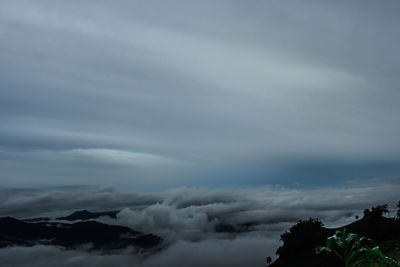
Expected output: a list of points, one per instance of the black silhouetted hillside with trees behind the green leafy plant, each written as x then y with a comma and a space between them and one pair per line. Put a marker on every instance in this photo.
300, 242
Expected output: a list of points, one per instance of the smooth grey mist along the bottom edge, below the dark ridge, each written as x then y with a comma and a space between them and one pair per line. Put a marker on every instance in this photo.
213, 253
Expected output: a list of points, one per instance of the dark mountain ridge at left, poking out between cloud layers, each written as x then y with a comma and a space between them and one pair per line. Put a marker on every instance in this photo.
105, 237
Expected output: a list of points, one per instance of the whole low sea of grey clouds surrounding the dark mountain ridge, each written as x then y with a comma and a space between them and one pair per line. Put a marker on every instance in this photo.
188, 220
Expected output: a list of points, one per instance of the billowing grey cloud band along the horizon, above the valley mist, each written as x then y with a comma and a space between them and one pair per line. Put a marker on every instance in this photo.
257, 205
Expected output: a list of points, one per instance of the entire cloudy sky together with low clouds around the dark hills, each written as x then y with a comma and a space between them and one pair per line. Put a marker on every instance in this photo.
187, 114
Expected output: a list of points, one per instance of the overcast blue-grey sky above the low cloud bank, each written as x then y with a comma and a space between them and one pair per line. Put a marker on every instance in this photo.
151, 95
